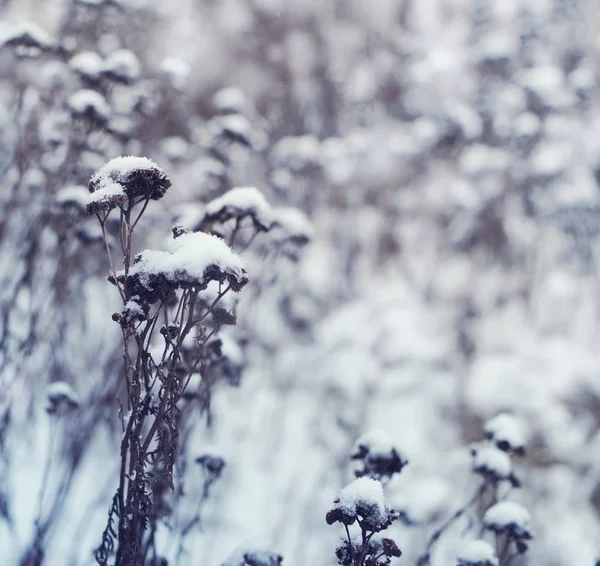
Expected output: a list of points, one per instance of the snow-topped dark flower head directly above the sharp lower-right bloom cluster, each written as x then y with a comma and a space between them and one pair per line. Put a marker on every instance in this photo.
380, 459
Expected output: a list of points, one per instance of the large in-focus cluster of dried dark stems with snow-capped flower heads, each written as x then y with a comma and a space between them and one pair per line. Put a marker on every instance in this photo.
174, 306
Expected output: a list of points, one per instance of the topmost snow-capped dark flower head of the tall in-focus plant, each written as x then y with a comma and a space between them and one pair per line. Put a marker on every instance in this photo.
140, 177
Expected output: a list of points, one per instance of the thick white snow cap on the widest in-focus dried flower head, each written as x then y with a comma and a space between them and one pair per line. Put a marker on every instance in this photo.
189, 255
